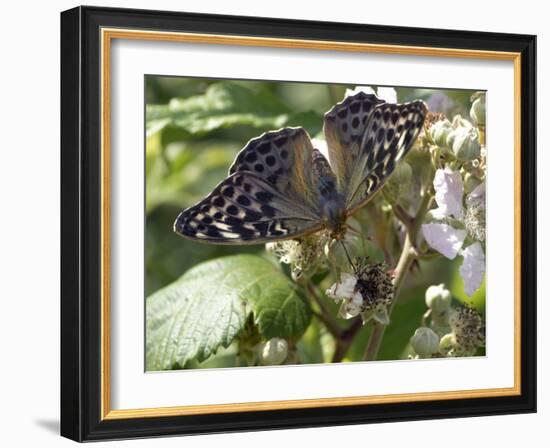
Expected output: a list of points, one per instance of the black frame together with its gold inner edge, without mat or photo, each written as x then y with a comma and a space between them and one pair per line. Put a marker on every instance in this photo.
87, 34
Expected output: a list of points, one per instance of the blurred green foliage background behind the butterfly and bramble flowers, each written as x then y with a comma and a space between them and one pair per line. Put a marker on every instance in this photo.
194, 129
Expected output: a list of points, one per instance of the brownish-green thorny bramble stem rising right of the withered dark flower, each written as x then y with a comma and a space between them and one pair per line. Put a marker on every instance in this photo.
408, 256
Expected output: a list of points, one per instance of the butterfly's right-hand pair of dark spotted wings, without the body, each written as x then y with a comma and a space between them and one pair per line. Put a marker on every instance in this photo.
364, 163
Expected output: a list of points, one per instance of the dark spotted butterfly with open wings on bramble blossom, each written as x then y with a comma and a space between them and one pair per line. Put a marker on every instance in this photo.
281, 187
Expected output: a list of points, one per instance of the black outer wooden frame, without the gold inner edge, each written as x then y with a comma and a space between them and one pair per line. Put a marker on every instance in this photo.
81, 223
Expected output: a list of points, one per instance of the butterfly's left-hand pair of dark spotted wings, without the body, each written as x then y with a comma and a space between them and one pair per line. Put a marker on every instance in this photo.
269, 195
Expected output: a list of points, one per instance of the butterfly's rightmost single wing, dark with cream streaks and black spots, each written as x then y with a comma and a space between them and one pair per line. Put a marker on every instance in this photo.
389, 134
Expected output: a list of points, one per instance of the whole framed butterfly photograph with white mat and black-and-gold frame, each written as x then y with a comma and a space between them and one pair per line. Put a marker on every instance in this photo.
275, 224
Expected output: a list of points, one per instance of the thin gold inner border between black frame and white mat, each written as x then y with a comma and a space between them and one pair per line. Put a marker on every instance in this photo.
107, 35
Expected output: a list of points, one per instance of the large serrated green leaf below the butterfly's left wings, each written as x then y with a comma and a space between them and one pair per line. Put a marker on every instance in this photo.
207, 307
